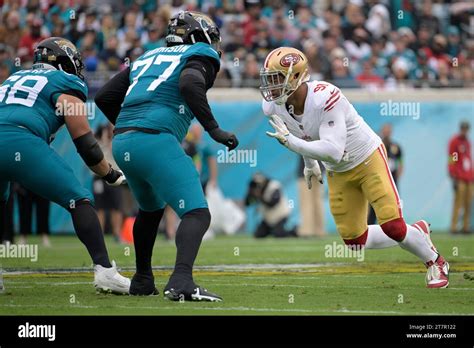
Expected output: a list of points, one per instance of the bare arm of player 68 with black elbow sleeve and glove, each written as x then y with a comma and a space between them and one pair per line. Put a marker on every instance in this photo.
86, 143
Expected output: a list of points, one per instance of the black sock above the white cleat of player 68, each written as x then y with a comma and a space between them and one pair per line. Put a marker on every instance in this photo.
87, 227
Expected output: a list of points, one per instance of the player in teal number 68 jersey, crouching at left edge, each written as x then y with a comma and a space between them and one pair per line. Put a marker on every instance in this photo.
34, 104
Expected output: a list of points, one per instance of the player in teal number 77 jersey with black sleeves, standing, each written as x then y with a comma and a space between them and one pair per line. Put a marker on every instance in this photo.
152, 104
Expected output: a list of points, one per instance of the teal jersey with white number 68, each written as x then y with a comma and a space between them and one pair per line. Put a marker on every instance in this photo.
28, 99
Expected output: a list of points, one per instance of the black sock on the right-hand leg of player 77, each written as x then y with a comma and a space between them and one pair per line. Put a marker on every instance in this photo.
192, 228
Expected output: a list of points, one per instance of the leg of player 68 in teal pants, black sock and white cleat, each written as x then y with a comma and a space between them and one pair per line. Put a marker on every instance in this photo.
51, 178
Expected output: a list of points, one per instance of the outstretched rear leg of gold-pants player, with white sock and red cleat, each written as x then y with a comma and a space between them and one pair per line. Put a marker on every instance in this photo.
381, 191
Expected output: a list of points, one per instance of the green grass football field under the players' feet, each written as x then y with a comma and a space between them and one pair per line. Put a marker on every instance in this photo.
255, 277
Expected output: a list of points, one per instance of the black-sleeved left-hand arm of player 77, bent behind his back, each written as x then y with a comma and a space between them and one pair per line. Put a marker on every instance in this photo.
110, 97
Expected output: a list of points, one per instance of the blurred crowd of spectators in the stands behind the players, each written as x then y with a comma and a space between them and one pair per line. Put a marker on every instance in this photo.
353, 43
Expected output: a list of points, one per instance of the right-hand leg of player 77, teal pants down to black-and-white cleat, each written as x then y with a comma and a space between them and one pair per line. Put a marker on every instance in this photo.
176, 180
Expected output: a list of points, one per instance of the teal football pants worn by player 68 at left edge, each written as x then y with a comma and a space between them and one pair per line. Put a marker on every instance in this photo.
28, 160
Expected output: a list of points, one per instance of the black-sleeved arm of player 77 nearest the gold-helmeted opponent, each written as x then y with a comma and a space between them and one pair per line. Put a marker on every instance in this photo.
196, 78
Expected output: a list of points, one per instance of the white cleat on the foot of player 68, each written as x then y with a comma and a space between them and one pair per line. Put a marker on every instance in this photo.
110, 280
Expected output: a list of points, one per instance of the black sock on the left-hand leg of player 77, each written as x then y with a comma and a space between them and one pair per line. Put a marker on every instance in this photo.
145, 229
